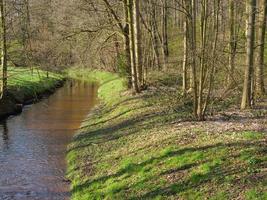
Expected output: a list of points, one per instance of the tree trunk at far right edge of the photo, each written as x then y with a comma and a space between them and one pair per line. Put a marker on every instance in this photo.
260, 58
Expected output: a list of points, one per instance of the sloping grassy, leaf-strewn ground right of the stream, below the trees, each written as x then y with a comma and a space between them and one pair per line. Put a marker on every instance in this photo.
147, 147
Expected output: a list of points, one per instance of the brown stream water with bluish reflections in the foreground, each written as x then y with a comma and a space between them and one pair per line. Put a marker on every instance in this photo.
33, 144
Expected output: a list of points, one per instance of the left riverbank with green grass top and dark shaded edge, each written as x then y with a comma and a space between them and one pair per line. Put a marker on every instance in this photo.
26, 87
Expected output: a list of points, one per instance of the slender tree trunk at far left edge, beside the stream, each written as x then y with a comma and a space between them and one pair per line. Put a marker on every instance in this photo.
3, 48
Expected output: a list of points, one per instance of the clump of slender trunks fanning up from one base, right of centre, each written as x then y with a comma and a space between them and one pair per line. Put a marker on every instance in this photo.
202, 53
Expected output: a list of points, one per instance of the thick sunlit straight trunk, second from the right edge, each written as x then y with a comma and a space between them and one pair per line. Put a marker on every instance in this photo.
247, 87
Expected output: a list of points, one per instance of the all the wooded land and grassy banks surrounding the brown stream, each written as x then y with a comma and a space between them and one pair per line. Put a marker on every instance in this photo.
182, 110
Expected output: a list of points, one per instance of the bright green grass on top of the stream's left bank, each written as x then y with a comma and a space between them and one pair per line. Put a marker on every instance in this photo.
31, 83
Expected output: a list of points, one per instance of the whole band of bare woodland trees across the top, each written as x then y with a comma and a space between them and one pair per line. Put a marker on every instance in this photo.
204, 40
